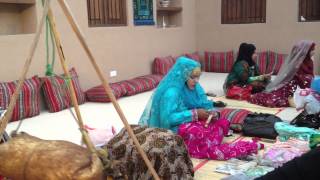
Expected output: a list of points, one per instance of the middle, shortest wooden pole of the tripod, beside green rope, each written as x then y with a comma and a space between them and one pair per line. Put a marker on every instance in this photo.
65, 68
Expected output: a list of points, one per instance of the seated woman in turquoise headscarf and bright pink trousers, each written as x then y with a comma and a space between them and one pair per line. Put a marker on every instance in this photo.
180, 104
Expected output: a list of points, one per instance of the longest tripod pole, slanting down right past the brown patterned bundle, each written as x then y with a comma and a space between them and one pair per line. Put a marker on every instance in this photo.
76, 29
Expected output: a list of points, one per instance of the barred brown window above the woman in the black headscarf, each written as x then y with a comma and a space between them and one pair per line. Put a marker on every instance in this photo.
243, 11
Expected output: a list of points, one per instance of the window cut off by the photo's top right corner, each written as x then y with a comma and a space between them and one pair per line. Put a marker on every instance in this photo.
309, 10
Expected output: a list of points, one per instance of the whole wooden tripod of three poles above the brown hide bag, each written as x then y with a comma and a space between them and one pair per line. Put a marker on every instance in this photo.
66, 10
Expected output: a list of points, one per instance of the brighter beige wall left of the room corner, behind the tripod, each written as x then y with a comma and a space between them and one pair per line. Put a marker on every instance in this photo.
130, 50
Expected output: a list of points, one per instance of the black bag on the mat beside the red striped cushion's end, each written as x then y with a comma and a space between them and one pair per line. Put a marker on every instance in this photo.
260, 125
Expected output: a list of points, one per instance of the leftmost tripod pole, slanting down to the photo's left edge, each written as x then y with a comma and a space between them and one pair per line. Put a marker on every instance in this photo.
7, 116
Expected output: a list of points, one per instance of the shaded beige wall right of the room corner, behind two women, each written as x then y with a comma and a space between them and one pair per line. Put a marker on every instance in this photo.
279, 34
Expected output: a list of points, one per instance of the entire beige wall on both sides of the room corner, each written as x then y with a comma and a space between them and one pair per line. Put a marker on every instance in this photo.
130, 50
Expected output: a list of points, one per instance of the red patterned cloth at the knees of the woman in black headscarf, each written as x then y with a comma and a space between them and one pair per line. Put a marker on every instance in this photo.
239, 93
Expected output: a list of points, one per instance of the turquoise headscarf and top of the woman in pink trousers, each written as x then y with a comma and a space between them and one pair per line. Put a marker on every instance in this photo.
174, 84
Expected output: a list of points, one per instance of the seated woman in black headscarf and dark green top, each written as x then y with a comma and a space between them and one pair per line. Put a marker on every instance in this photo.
246, 72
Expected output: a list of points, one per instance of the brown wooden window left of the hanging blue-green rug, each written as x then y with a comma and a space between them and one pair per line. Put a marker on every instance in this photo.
107, 12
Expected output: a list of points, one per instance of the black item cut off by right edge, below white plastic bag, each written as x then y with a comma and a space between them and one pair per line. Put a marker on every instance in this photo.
307, 120
